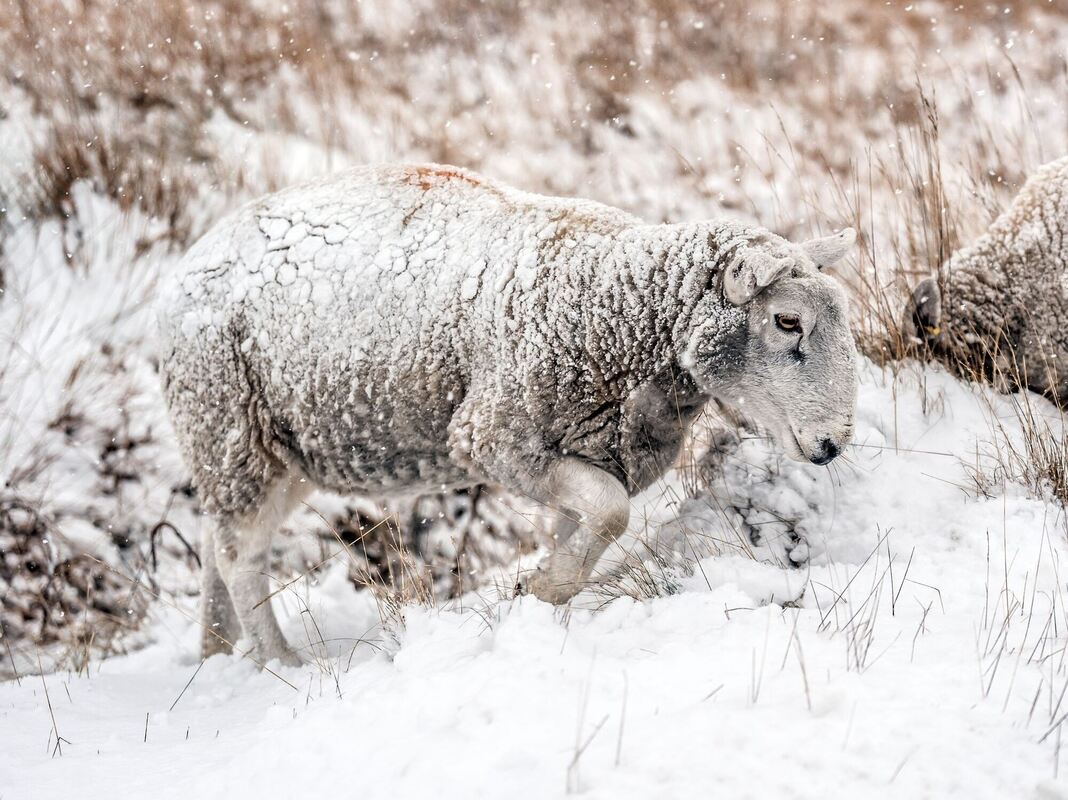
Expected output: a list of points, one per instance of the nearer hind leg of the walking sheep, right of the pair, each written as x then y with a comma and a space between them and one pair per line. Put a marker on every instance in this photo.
243, 557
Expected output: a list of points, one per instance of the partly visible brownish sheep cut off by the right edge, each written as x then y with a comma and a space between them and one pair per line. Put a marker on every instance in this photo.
999, 308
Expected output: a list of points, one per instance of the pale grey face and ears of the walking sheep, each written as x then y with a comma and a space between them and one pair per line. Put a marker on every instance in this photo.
791, 354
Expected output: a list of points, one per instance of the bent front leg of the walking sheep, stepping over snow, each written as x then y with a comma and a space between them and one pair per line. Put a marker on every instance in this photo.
593, 510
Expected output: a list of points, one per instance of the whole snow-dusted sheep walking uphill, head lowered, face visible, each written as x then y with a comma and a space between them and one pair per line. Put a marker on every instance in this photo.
402, 330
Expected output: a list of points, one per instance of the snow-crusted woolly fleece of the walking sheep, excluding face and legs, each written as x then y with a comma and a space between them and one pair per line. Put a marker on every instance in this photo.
414, 328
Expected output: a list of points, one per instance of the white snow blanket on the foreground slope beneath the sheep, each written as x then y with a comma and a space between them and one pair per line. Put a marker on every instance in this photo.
920, 653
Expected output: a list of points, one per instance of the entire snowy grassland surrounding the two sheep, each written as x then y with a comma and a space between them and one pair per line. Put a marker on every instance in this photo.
892, 626
